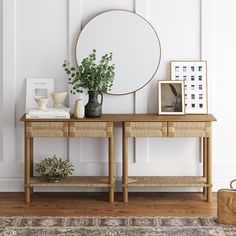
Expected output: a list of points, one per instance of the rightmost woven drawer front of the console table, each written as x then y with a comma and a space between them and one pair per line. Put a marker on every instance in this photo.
189, 129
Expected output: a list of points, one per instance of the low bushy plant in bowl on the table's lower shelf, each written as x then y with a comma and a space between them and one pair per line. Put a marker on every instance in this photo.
54, 169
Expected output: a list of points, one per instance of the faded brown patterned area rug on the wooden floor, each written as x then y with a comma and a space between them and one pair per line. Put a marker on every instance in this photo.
113, 226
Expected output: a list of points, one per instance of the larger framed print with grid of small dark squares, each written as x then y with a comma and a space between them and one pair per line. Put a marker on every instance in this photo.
194, 75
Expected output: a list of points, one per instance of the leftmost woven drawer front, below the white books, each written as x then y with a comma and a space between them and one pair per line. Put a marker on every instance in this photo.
46, 129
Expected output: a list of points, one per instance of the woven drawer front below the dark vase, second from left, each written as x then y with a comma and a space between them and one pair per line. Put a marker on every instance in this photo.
91, 129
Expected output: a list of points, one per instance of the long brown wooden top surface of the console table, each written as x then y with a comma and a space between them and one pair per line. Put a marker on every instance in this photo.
131, 118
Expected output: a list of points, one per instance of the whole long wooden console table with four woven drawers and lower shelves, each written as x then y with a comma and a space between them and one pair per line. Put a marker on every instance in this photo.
138, 125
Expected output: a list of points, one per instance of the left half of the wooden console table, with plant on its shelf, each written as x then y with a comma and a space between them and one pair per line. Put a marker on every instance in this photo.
67, 128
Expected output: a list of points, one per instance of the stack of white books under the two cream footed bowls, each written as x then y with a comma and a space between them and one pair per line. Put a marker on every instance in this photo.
49, 113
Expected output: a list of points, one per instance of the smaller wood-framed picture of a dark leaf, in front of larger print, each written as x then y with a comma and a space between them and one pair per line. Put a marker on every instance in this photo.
171, 97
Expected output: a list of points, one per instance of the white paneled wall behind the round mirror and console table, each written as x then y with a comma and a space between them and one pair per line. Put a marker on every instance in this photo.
37, 37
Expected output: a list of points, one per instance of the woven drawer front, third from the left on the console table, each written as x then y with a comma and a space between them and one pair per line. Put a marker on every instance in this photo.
146, 129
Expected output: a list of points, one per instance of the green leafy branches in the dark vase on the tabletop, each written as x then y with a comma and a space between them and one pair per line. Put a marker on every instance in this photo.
90, 75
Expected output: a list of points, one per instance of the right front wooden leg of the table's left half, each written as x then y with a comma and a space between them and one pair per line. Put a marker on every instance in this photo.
111, 169
